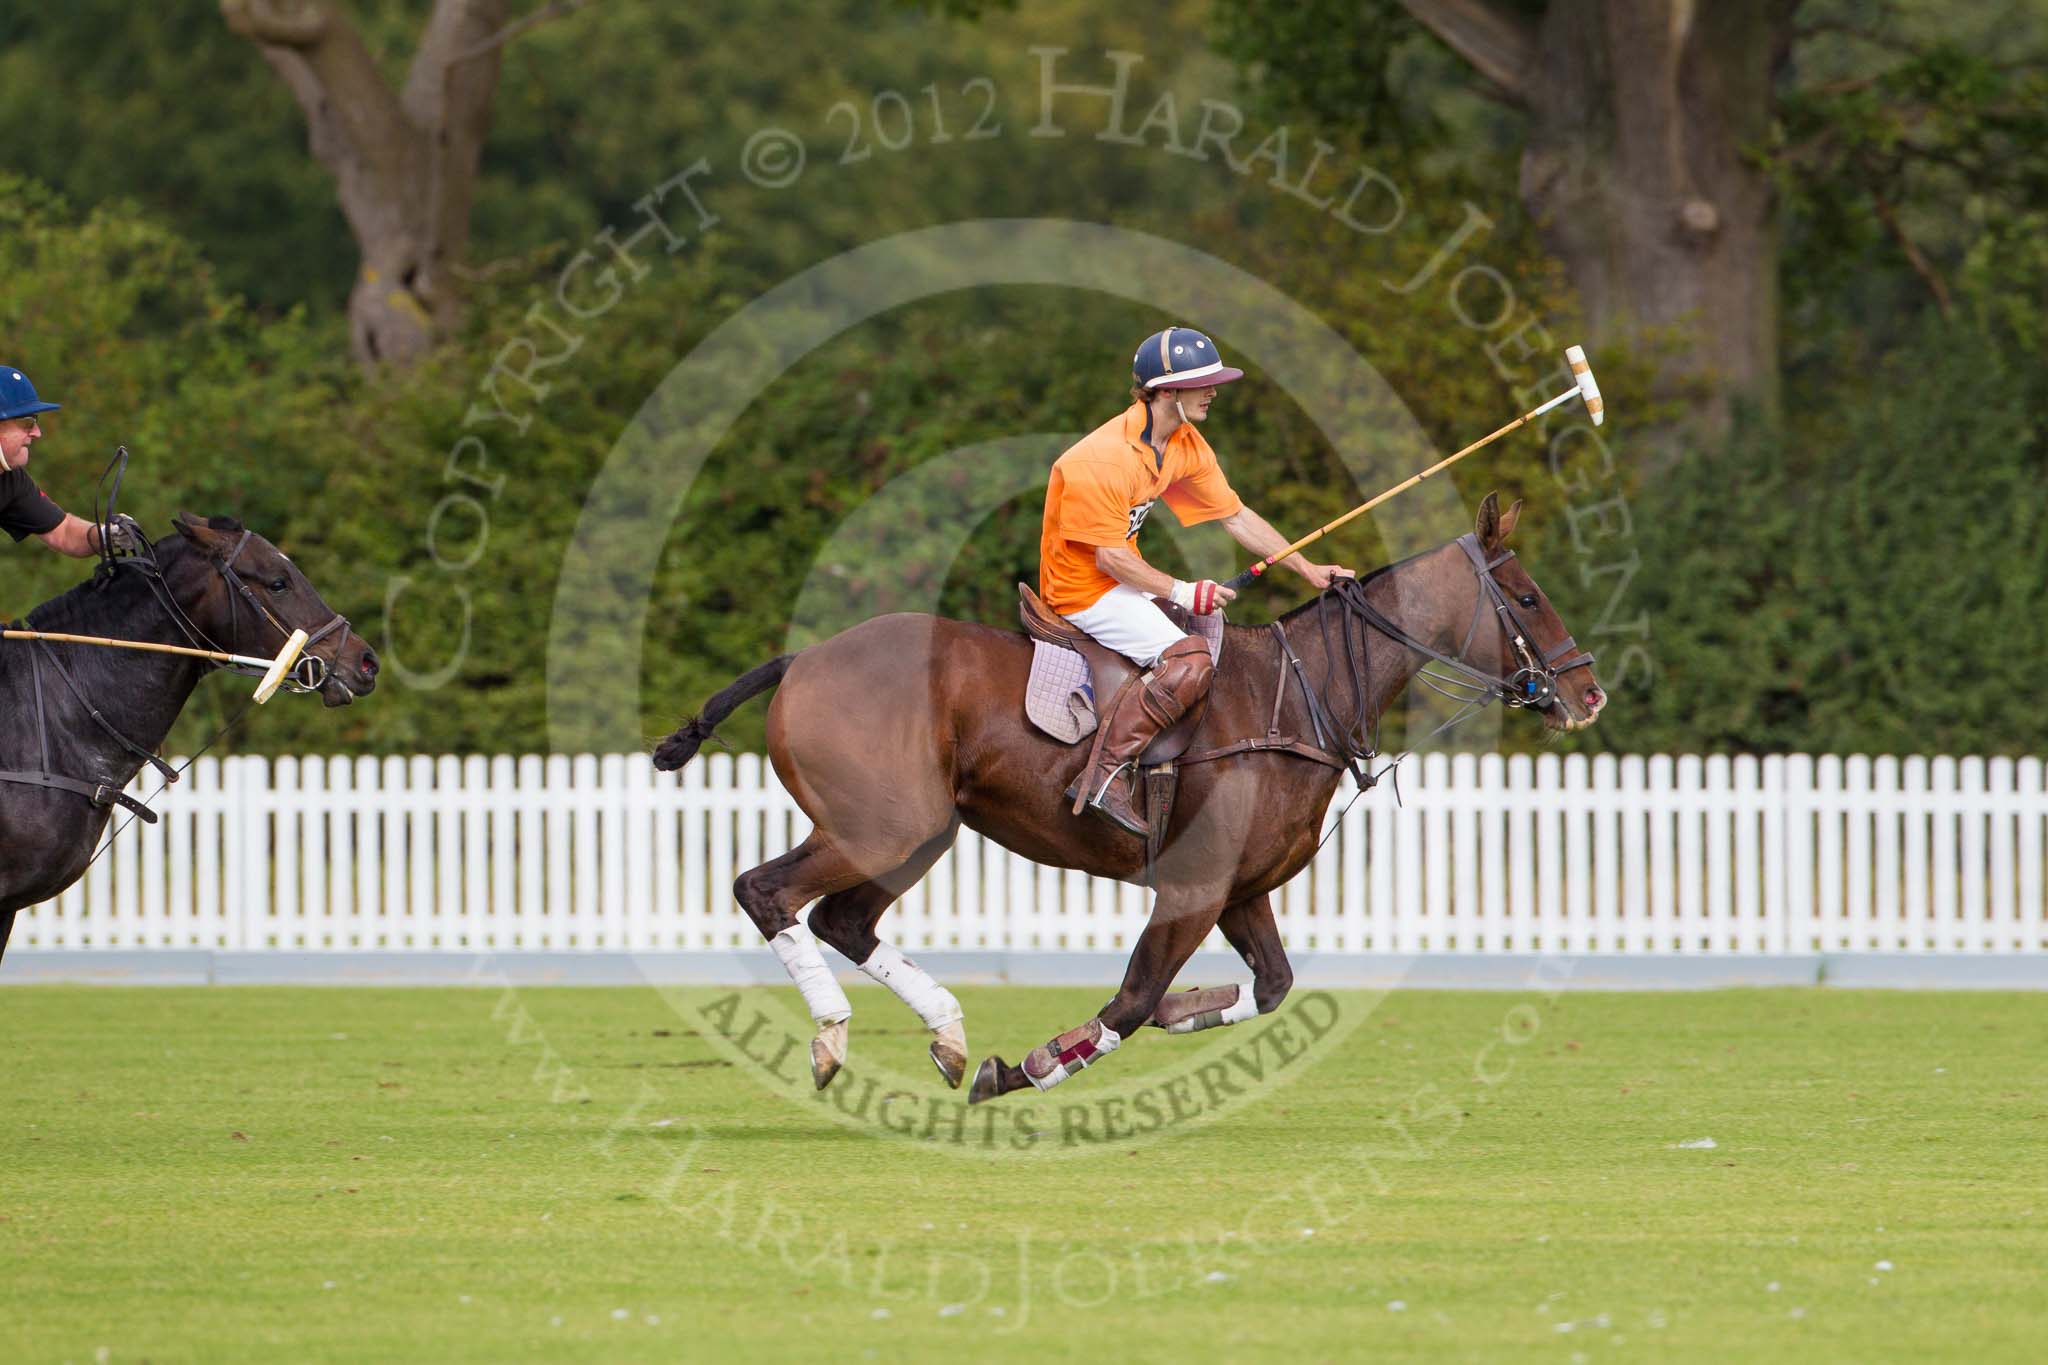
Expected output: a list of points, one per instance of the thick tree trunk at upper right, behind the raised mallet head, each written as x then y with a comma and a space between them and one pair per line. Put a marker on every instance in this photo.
1637, 173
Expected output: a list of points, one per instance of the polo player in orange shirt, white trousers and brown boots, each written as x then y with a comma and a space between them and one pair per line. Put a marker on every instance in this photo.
1091, 568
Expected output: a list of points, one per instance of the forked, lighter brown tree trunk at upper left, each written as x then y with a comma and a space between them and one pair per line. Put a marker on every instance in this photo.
404, 161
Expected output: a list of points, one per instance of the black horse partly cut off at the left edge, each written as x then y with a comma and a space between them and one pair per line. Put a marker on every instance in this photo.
91, 715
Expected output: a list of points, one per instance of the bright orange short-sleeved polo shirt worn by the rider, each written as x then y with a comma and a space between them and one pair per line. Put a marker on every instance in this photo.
1105, 488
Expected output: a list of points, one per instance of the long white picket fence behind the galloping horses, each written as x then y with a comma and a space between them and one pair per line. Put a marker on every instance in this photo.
1486, 854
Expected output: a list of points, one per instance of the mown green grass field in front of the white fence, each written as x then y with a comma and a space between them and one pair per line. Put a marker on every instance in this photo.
484, 1176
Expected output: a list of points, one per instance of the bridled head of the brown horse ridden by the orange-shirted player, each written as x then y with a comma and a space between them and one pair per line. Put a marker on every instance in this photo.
1531, 648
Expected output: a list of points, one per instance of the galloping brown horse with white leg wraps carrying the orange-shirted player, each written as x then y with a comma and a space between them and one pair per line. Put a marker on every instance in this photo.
898, 732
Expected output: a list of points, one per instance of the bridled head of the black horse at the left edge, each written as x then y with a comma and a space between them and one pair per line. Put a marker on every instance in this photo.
251, 599
